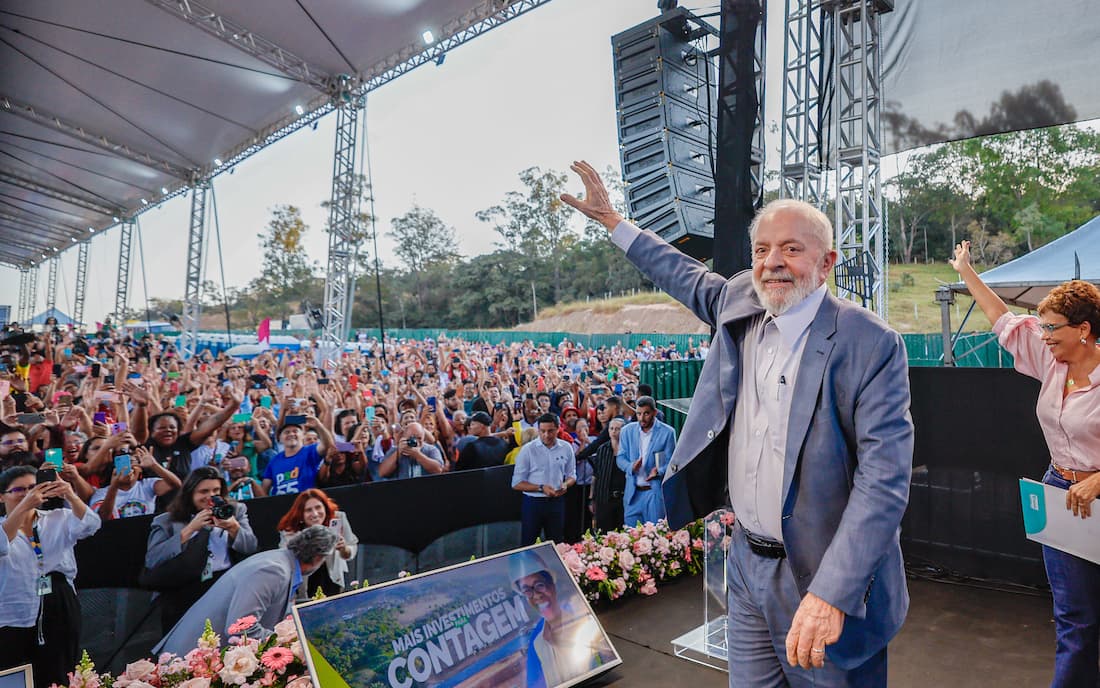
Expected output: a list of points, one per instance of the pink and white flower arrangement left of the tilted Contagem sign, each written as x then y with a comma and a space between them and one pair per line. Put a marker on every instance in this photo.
245, 662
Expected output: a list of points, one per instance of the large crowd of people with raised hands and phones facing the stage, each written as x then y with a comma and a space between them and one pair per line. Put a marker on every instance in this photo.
118, 425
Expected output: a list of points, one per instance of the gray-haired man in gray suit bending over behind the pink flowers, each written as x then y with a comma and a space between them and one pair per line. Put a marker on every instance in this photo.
262, 586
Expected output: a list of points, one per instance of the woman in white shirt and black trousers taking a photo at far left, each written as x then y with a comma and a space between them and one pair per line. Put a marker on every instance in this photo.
40, 614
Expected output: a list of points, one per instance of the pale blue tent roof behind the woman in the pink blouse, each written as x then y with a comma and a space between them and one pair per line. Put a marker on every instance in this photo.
1027, 280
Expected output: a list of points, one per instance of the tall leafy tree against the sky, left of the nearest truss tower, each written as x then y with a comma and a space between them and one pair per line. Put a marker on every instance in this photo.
288, 272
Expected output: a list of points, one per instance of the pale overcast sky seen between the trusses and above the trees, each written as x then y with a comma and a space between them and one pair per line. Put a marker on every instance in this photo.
537, 91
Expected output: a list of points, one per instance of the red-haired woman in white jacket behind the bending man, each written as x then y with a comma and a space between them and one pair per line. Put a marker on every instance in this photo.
316, 508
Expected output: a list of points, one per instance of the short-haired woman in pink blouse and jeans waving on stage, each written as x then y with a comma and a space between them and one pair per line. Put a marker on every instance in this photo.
1059, 348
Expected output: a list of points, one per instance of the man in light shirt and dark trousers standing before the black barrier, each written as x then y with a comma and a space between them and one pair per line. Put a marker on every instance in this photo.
545, 471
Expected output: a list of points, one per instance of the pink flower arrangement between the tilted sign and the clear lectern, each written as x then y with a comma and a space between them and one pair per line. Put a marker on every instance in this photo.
635, 560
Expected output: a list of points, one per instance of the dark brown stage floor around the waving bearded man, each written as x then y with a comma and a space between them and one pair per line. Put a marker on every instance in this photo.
955, 636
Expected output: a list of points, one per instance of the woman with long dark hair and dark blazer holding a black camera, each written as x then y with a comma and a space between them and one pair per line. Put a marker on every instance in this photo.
195, 542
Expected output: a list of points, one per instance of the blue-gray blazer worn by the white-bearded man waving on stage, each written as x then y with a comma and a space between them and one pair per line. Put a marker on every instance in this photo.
850, 445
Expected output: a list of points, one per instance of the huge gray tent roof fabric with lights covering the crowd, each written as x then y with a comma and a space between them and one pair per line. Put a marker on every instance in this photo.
111, 107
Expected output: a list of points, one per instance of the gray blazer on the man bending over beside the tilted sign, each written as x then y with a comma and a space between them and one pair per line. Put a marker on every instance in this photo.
259, 586
